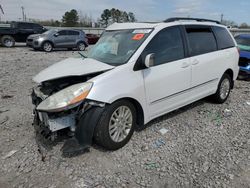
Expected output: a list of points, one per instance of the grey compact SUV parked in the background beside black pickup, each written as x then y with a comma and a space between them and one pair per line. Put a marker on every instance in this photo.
63, 38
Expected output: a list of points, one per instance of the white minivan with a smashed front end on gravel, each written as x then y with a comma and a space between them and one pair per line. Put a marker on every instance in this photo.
135, 73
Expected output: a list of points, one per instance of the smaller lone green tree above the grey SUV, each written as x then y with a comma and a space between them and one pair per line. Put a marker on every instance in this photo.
70, 19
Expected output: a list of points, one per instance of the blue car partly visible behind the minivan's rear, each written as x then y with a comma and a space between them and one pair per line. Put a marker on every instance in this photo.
243, 42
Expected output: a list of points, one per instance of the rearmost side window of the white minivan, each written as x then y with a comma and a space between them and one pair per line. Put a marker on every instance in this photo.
224, 39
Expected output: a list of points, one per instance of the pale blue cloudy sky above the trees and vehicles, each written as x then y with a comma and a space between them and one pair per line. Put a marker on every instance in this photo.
144, 10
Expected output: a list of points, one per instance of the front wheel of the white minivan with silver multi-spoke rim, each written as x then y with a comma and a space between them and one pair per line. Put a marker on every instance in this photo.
116, 125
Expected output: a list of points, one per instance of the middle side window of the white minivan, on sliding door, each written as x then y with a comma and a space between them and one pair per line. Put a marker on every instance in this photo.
201, 40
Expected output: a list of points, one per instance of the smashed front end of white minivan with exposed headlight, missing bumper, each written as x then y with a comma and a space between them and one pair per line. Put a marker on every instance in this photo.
61, 105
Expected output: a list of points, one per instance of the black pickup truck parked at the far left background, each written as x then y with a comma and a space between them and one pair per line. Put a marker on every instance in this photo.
18, 32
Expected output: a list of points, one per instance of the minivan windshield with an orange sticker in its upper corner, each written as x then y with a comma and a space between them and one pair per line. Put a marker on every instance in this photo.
116, 47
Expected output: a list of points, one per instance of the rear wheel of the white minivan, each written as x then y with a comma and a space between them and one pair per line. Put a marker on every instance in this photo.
224, 89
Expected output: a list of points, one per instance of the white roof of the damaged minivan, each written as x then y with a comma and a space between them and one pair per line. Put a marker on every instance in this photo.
148, 25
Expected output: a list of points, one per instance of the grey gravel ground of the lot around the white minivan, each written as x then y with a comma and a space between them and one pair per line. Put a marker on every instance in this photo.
206, 145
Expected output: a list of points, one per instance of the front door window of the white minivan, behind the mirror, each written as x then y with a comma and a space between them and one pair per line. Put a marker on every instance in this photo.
167, 46
